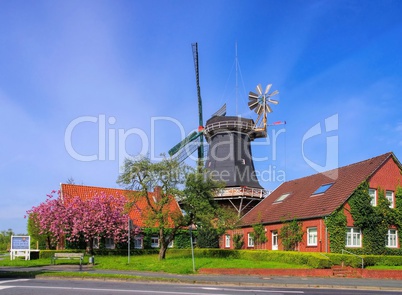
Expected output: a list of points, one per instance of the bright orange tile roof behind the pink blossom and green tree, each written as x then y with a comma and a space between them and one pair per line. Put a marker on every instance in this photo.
137, 213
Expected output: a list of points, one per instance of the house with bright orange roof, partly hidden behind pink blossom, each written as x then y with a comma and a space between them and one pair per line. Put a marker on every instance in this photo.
136, 214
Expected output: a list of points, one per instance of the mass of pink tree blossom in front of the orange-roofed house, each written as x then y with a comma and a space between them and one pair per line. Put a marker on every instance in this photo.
98, 216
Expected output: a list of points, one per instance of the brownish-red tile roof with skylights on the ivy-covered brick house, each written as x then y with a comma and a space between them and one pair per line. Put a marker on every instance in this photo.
301, 204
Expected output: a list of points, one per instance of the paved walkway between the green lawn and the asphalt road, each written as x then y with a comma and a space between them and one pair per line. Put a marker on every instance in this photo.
239, 280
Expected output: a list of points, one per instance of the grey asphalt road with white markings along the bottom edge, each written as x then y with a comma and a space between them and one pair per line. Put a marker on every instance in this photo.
89, 287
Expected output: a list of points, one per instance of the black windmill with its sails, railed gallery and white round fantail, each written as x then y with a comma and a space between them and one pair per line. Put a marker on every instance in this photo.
229, 157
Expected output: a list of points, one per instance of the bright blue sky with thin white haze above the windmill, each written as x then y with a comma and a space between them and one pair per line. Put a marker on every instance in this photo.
110, 78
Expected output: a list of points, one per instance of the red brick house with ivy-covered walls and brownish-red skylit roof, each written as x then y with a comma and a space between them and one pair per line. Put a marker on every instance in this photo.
311, 200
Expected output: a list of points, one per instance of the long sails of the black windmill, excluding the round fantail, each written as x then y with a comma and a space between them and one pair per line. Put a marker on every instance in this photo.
195, 140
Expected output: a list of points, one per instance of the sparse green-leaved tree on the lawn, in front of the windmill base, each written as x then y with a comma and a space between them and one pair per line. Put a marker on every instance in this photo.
196, 199
